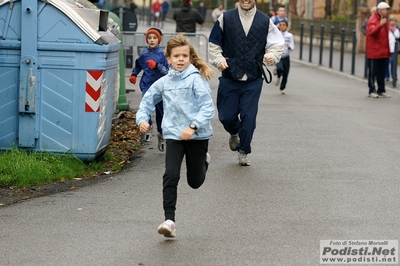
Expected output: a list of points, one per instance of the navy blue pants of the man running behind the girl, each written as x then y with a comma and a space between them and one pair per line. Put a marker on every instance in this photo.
237, 103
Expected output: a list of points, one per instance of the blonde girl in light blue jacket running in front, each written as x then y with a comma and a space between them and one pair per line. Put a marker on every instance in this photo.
188, 111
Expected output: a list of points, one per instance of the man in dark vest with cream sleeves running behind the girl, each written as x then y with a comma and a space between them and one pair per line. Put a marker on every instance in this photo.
240, 40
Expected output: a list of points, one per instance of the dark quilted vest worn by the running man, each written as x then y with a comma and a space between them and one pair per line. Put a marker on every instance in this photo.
243, 52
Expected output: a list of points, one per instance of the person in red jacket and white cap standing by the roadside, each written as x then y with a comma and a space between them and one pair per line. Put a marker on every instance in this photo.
378, 50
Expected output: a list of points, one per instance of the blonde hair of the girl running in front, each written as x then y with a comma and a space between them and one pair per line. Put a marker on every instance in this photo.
180, 40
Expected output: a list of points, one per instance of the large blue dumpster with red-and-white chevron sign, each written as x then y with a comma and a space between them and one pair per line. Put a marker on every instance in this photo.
58, 77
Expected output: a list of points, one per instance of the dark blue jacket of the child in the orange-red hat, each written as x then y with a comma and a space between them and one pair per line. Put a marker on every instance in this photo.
150, 75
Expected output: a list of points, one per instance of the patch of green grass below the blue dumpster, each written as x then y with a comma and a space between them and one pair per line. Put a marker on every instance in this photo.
22, 169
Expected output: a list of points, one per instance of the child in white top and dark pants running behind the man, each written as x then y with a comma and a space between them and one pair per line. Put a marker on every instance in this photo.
283, 67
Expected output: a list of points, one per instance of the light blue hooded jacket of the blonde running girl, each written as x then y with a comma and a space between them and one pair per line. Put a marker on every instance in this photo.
187, 99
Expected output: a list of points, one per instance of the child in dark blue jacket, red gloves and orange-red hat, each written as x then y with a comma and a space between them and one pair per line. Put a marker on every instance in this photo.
154, 65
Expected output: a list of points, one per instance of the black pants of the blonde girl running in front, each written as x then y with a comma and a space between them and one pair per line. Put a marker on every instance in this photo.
196, 165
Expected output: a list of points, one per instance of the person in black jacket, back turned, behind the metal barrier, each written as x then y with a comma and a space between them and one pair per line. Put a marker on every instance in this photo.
187, 17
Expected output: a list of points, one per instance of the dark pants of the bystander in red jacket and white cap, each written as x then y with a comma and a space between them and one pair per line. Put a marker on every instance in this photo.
376, 70
